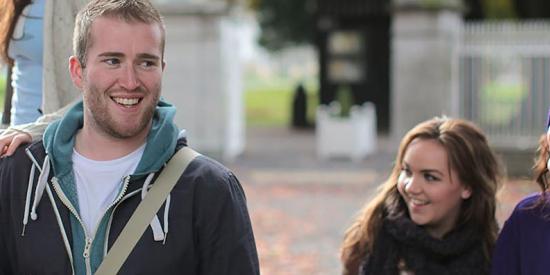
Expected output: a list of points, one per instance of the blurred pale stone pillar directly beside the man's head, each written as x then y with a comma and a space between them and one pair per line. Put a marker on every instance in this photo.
203, 75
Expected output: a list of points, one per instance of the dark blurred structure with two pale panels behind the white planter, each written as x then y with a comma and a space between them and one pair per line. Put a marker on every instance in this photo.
353, 43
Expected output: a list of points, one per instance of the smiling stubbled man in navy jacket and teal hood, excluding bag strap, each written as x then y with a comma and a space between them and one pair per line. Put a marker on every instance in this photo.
94, 166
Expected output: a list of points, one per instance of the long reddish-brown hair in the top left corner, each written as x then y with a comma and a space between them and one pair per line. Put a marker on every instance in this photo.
10, 10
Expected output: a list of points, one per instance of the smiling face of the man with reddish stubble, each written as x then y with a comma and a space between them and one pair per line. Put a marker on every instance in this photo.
121, 80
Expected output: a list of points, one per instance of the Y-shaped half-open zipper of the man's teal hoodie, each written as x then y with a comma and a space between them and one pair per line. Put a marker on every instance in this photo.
88, 240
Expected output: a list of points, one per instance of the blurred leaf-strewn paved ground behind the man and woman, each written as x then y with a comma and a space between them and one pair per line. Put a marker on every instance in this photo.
300, 206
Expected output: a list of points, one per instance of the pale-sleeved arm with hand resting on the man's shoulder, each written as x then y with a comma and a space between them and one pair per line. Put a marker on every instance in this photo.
15, 136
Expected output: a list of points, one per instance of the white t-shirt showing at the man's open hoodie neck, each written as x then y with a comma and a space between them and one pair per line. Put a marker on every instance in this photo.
98, 183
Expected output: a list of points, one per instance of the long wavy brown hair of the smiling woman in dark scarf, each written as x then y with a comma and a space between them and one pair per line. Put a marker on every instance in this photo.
475, 164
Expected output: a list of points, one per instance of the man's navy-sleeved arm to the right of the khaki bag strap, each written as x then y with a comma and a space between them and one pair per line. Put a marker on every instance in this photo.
225, 239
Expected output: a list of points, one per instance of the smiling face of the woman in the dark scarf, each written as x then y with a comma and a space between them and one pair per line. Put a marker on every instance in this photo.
431, 189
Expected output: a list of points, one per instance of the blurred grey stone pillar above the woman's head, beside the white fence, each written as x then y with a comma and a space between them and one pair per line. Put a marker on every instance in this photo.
424, 77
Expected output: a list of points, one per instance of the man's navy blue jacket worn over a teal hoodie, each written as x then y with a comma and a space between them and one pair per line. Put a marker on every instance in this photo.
210, 230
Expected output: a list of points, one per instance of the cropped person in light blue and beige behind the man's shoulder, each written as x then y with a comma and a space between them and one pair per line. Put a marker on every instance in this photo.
35, 40
